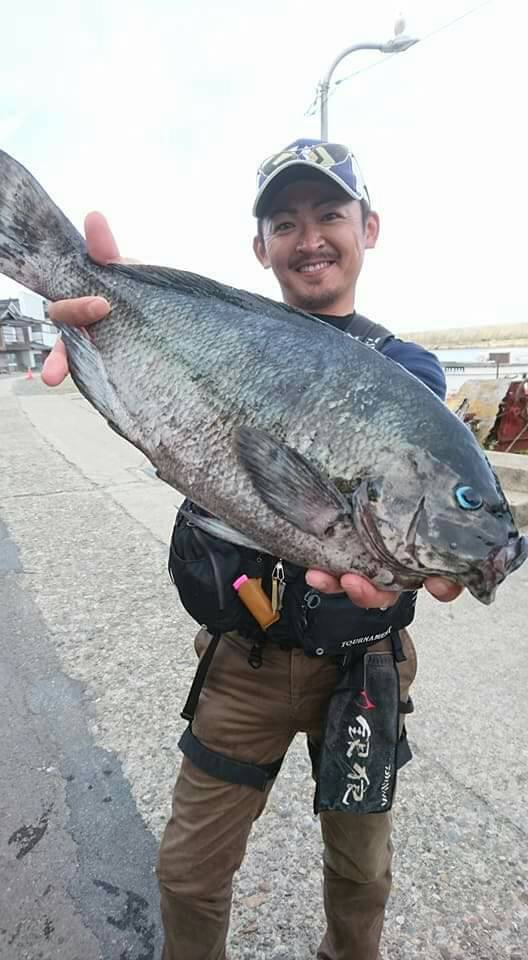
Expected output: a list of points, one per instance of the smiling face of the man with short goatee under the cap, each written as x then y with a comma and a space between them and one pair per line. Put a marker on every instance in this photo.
314, 241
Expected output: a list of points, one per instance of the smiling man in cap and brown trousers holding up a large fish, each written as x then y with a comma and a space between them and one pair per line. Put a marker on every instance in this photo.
314, 224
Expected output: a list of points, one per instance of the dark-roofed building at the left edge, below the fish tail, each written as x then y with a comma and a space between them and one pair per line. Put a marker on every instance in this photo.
24, 341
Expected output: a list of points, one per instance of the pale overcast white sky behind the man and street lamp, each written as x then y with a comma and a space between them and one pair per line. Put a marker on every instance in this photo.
158, 113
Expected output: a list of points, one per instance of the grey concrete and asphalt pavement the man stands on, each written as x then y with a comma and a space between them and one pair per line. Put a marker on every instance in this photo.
95, 661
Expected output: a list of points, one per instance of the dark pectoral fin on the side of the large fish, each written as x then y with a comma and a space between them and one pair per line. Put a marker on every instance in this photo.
289, 484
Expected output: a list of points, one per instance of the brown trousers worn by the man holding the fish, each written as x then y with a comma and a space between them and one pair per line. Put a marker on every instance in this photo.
252, 716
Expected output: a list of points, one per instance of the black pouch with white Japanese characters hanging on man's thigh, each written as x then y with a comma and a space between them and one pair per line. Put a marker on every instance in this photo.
357, 763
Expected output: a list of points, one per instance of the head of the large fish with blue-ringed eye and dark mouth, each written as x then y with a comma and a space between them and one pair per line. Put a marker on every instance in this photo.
424, 518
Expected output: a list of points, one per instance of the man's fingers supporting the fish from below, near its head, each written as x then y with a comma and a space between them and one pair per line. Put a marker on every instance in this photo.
365, 594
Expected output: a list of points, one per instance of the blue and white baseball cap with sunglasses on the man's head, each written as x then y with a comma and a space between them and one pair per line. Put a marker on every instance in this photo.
333, 160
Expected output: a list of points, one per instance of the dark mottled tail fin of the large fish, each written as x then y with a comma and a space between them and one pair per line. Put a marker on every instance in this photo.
34, 233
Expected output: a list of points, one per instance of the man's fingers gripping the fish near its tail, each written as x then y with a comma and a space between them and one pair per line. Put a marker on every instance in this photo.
85, 310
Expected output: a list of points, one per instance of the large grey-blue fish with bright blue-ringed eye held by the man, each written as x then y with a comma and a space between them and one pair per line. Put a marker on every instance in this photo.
301, 440
